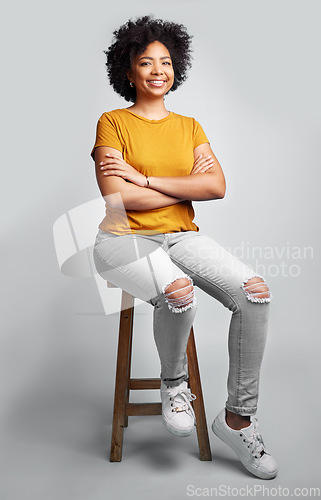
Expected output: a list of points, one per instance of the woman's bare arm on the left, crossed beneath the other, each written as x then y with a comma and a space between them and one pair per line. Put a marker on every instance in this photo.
132, 196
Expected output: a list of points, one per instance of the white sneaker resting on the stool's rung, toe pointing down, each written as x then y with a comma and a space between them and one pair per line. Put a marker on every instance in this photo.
177, 412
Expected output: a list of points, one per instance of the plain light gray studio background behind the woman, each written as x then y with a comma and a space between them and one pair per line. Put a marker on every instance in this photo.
254, 87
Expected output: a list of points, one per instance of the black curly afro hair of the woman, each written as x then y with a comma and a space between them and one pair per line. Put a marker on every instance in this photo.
132, 39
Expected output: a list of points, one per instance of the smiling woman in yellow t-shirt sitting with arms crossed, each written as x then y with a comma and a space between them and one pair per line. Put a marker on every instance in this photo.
151, 164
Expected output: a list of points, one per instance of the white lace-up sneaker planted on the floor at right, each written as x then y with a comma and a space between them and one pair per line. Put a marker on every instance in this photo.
248, 445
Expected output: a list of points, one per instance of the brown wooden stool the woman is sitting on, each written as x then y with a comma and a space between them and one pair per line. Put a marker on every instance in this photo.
124, 384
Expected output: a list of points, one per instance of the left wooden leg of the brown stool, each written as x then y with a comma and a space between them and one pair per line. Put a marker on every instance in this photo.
122, 375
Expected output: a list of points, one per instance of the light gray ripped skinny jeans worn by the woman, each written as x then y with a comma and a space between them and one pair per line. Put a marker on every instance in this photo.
163, 269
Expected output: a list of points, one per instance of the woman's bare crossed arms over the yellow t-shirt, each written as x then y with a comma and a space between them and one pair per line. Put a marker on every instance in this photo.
206, 181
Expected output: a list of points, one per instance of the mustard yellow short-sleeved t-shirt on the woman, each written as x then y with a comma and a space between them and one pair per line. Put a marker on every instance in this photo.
156, 148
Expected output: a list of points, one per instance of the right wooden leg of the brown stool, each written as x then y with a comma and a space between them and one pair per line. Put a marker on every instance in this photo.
198, 404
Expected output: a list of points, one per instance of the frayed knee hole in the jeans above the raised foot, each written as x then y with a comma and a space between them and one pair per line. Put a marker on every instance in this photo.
179, 294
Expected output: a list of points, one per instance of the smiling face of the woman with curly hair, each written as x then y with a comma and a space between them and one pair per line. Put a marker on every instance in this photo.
152, 71
